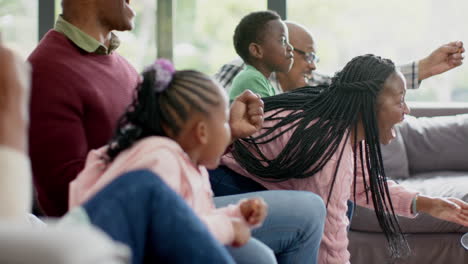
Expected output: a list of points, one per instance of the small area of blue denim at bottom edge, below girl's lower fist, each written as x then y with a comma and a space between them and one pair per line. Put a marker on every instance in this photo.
254, 252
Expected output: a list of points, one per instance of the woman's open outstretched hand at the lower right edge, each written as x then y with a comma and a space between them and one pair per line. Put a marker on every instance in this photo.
449, 209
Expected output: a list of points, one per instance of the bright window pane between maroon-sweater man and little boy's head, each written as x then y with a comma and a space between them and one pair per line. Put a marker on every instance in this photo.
203, 31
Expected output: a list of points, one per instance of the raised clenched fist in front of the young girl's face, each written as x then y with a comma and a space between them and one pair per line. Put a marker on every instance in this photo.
246, 115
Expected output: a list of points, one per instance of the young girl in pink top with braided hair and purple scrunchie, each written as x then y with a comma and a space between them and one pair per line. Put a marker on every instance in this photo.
177, 126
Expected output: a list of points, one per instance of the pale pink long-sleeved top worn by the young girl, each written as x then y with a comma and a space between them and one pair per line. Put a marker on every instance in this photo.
166, 158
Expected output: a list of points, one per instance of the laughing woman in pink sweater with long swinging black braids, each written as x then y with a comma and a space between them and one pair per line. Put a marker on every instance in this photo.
326, 140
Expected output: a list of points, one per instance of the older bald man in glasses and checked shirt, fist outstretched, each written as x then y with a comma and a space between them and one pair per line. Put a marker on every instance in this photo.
303, 71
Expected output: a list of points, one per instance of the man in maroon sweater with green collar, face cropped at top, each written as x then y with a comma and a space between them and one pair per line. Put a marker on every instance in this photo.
80, 87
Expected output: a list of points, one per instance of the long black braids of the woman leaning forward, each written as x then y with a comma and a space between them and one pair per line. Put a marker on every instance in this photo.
321, 118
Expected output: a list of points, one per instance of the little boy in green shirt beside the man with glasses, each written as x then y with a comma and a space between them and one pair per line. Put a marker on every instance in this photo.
261, 40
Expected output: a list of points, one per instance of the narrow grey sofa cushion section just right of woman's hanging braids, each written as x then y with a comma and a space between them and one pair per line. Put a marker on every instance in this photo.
394, 157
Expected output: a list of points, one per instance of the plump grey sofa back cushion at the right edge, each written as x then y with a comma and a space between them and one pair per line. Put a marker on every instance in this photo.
436, 143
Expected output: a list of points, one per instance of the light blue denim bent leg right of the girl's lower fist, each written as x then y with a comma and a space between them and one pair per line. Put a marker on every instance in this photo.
294, 225
